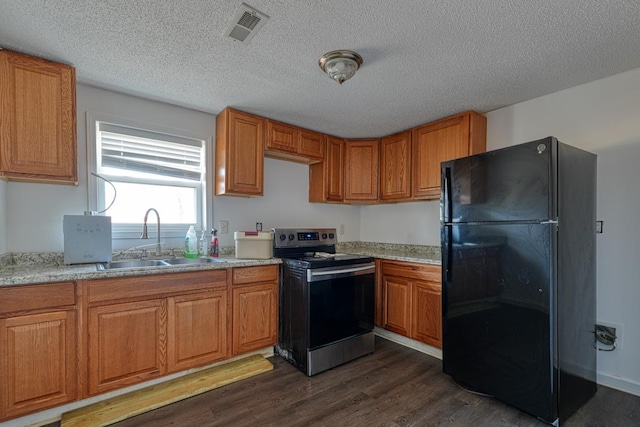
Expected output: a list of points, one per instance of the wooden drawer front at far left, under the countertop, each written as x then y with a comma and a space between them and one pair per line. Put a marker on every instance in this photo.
34, 297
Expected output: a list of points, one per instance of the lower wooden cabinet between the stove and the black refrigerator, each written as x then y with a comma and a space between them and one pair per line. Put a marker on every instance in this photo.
411, 300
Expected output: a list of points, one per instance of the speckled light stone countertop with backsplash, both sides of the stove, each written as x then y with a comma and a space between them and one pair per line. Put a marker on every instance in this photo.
30, 268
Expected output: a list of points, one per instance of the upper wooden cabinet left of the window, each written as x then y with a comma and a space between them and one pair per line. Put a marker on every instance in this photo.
37, 120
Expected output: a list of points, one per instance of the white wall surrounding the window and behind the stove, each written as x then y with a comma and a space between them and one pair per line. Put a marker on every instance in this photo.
34, 212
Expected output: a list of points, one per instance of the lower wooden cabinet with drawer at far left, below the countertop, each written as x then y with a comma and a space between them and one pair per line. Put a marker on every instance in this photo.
38, 347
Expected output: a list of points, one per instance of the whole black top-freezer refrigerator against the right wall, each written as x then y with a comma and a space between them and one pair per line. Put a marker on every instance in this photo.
518, 230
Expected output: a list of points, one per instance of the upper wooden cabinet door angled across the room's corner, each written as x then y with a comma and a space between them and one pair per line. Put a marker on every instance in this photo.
361, 170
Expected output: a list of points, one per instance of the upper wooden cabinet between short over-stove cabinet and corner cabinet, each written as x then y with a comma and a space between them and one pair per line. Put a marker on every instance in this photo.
326, 179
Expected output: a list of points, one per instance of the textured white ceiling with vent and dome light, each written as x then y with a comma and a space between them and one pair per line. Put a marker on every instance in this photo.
423, 59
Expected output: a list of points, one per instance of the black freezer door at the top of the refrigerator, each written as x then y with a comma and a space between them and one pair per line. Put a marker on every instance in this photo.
510, 184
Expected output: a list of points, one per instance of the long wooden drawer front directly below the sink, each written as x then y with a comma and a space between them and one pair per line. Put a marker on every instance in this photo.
156, 285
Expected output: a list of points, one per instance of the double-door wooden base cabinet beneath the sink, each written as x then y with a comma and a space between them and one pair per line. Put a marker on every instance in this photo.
145, 327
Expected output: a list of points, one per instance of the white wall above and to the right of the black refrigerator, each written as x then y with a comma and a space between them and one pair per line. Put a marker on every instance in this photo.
602, 117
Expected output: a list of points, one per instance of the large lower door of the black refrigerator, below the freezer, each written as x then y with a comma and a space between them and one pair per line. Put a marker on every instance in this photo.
498, 312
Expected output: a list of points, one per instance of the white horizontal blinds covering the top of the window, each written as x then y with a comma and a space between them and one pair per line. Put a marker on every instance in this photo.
134, 150
